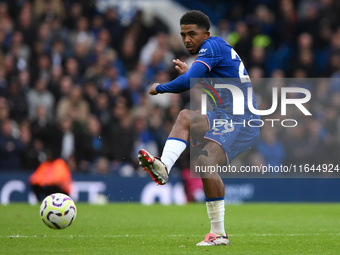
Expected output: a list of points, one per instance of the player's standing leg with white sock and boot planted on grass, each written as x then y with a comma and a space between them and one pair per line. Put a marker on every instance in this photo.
213, 185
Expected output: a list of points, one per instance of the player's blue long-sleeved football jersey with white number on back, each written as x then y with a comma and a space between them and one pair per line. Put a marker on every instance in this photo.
223, 66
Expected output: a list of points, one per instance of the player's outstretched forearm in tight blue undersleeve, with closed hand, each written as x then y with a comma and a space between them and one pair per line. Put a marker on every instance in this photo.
181, 83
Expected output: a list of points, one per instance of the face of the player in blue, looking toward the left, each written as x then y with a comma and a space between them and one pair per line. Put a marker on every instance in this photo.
193, 37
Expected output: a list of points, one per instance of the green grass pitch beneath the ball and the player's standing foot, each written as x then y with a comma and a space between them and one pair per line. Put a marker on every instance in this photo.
136, 229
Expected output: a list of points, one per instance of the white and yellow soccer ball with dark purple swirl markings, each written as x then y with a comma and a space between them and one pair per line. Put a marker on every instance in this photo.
58, 211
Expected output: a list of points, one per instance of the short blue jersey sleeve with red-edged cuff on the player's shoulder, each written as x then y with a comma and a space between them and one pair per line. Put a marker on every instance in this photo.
209, 54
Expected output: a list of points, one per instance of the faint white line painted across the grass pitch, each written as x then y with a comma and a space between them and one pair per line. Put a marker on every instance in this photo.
127, 235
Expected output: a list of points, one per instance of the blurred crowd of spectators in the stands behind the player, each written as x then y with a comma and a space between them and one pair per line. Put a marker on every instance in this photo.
74, 81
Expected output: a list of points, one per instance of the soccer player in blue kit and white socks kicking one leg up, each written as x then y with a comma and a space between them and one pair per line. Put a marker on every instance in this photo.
216, 59
